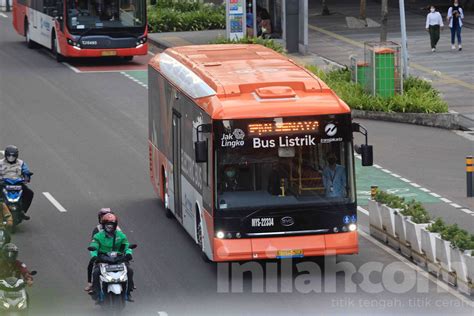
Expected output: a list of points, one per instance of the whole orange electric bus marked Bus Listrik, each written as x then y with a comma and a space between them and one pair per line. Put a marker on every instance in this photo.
239, 143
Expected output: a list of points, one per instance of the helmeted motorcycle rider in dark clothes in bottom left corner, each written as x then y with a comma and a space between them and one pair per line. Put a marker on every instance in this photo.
11, 266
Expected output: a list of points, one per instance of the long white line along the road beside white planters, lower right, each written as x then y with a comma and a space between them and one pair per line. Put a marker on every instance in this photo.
422, 272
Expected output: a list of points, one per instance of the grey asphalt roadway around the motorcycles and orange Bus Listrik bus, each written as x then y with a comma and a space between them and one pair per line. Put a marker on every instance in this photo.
84, 136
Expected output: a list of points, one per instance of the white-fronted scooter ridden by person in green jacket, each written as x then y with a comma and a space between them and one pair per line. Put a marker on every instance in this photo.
113, 278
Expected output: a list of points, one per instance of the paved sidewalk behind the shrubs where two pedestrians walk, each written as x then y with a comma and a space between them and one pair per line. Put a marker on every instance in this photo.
331, 39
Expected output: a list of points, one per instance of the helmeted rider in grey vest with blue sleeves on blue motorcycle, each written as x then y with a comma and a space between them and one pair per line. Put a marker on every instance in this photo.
13, 168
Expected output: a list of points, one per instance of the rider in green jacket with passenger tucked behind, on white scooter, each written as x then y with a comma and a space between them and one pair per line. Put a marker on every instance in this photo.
110, 239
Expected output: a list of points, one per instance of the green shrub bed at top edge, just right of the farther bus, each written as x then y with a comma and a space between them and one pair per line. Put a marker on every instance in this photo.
176, 16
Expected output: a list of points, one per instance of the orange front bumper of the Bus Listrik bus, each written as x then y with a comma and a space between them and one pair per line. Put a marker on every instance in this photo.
281, 247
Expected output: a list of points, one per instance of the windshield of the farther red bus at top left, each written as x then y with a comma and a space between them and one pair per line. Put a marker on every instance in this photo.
98, 14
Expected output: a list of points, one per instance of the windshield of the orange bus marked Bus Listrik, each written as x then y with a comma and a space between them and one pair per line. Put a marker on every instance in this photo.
286, 171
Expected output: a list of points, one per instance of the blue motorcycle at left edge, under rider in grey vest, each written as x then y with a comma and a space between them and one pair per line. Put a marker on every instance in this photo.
12, 193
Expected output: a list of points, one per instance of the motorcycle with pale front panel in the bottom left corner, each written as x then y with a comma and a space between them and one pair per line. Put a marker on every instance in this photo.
13, 296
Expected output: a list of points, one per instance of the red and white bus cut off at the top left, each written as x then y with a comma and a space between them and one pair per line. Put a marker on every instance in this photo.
83, 28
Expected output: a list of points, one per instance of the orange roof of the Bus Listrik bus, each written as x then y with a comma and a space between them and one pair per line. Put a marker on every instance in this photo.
242, 81
